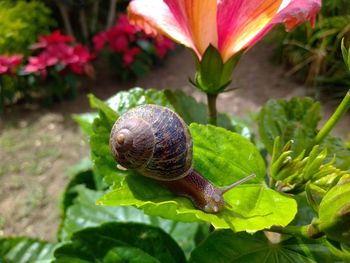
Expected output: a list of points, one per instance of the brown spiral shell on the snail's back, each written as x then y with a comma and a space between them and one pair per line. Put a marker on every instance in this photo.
154, 141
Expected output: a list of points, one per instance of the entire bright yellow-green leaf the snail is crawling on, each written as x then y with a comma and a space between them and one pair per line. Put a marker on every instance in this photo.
222, 157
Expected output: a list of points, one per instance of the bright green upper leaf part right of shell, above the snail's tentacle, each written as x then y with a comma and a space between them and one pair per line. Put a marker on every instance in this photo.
224, 157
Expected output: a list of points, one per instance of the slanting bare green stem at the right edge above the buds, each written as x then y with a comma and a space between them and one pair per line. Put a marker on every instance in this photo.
334, 119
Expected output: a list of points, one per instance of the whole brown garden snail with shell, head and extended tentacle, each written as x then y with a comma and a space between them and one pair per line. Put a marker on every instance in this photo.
155, 142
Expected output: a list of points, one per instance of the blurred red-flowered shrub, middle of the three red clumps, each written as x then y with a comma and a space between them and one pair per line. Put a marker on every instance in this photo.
52, 71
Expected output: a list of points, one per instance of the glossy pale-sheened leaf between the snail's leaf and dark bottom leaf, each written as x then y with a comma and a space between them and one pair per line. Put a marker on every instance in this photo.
85, 213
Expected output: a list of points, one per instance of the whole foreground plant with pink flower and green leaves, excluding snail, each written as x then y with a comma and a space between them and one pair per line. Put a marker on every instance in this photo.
295, 209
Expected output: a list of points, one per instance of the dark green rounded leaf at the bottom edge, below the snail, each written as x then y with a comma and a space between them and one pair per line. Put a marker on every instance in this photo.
96, 244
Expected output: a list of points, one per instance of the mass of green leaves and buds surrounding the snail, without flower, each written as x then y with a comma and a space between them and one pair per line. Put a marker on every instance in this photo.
137, 220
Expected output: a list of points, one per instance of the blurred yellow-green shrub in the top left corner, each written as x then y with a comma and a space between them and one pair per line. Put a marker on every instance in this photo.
21, 23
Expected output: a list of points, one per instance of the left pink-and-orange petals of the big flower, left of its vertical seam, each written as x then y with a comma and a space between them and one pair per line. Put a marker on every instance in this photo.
190, 22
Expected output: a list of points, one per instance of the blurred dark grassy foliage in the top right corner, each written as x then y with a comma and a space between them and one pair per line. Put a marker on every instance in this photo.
313, 56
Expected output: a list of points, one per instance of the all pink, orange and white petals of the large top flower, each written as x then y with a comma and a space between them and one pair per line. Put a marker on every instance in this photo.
229, 25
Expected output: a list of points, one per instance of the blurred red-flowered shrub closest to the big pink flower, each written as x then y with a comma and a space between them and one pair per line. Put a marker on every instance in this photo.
130, 50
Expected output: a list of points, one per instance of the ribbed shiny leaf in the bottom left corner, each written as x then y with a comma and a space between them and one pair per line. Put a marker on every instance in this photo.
25, 250
